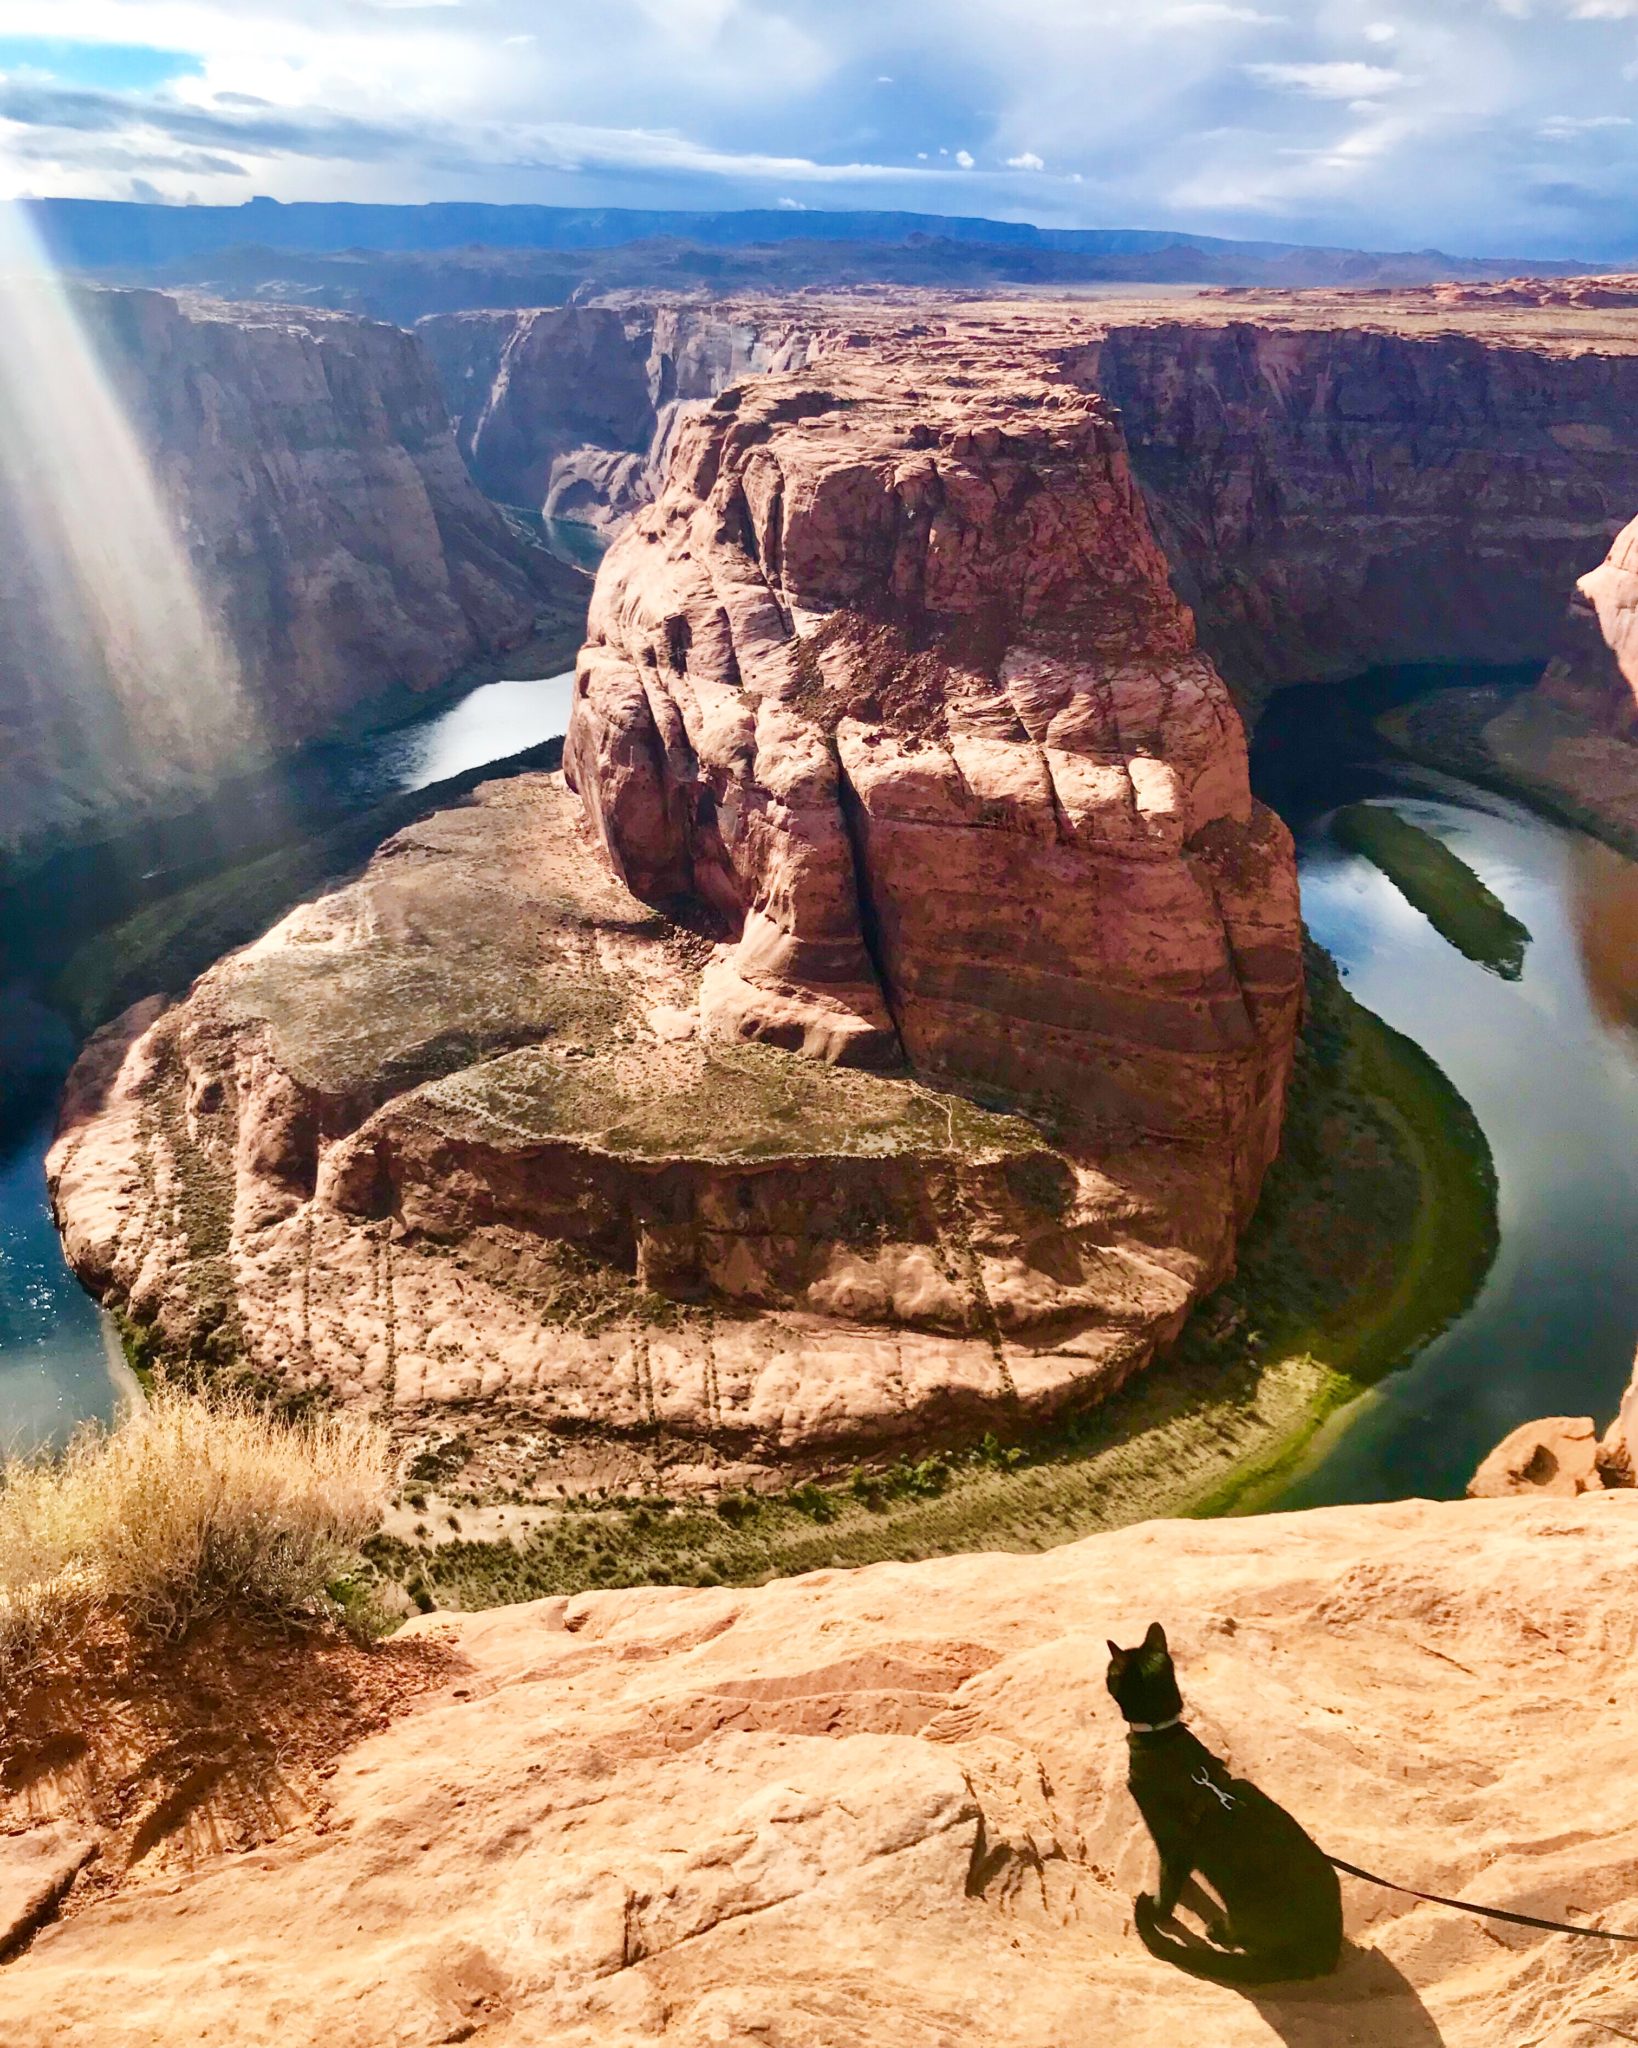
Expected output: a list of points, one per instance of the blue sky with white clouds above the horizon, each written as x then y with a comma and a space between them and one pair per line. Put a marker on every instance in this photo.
1485, 126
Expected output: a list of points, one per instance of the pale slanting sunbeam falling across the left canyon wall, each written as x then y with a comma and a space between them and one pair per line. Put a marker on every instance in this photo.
116, 650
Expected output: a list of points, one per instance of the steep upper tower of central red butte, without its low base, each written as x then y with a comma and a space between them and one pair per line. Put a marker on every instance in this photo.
894, 693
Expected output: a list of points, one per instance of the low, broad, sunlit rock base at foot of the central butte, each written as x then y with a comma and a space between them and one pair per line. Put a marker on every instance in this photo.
454, 1144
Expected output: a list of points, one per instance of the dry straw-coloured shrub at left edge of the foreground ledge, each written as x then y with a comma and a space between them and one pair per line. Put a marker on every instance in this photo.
185, 1510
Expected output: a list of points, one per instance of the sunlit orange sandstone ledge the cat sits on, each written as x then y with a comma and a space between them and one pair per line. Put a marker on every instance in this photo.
890, 1809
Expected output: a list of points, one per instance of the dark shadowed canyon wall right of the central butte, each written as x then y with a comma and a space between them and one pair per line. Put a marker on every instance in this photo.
1340, 497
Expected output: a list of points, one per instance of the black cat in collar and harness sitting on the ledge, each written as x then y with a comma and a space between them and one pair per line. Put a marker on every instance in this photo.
1283, 1906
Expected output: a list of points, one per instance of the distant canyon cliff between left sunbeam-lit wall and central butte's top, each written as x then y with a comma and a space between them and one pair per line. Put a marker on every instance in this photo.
570, 411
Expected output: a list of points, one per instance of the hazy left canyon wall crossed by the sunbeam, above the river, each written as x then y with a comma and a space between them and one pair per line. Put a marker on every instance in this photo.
222, 531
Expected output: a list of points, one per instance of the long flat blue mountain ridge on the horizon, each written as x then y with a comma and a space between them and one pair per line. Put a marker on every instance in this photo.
128, 234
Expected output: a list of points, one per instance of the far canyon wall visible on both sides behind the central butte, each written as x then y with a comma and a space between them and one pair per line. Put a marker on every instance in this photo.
1338, 480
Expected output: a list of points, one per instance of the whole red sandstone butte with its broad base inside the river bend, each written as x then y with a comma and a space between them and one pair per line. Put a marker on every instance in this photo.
902, 1048
